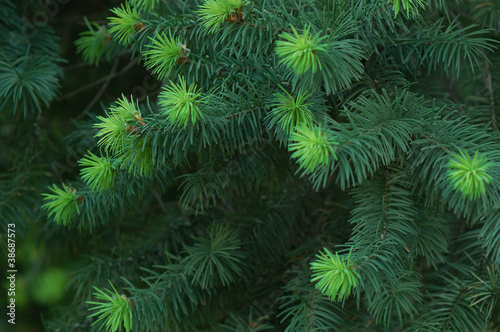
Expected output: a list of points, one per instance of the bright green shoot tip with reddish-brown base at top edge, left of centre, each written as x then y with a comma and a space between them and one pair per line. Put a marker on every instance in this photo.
214, 12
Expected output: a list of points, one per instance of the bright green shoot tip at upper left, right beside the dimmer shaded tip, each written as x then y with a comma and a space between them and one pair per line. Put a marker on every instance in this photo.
126, 24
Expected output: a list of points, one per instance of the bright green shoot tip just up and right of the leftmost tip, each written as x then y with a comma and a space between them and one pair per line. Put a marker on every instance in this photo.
98, 172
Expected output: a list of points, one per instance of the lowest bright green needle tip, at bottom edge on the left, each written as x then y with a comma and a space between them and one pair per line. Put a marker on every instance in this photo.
115, 311
